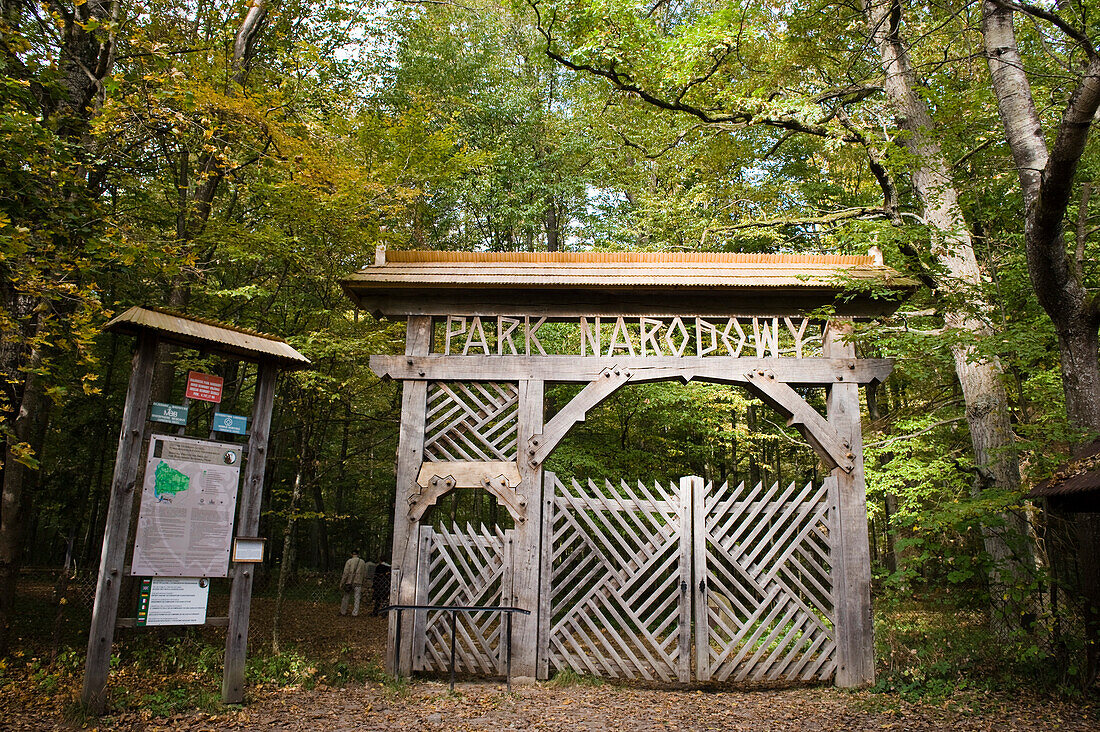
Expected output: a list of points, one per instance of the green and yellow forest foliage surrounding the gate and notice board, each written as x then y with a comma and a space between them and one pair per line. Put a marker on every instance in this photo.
247, 196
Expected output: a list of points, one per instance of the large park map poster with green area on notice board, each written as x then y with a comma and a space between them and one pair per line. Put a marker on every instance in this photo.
185, 528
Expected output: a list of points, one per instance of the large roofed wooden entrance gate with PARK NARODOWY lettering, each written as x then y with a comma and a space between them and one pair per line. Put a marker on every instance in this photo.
488, 332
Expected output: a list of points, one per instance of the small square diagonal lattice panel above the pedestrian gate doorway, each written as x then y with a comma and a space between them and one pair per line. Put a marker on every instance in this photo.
476, 421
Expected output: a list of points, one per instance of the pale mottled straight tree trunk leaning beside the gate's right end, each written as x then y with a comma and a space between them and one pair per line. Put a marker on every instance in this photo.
982, 380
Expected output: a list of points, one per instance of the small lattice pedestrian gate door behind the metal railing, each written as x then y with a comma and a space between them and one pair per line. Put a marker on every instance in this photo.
463, 566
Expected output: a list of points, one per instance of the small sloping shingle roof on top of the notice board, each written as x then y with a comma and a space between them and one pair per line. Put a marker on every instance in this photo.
201, 333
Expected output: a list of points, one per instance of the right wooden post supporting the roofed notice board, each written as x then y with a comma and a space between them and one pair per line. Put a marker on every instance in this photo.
248, 525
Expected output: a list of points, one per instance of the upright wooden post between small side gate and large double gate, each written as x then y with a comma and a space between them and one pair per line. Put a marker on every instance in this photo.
527, 556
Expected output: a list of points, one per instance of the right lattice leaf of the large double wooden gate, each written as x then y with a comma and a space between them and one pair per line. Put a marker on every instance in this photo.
767, 608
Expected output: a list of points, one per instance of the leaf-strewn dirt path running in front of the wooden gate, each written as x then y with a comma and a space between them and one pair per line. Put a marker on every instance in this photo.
427, 706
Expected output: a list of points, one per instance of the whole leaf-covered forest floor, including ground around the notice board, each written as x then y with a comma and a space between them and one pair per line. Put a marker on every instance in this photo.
329, 679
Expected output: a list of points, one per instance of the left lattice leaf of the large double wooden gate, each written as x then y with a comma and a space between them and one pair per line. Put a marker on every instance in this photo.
618, 607
